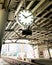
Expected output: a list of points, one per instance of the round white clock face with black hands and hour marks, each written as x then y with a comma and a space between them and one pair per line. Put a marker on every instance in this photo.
25, 17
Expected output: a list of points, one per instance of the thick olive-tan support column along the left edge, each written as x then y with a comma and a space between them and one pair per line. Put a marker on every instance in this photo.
3, 20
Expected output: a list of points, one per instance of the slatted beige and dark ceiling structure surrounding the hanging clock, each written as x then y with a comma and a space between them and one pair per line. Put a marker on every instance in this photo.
42, 25
